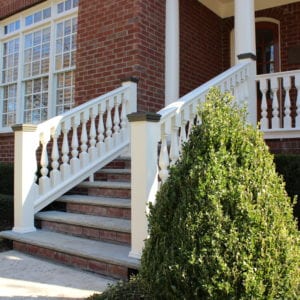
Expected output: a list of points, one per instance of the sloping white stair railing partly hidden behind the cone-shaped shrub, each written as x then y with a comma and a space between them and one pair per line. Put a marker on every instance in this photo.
178, 118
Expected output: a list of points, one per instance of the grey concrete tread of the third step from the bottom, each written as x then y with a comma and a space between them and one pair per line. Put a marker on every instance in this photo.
96, 200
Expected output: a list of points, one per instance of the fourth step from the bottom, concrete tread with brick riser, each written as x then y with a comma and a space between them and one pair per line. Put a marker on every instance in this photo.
114, 189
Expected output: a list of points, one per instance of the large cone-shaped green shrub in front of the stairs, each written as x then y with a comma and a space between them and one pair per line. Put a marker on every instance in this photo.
222, 226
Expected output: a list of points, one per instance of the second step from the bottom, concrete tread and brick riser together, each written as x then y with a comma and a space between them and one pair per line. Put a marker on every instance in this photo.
91, 227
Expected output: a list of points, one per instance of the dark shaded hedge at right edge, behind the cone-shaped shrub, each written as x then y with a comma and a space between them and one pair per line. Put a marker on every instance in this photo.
288, 165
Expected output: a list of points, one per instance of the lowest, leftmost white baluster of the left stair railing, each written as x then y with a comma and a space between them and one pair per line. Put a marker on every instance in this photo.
44, 181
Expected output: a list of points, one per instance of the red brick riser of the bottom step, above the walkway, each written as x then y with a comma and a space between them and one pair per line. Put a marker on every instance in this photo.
103, 268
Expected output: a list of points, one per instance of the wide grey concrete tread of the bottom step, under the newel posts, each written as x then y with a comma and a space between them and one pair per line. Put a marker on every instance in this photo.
89, 249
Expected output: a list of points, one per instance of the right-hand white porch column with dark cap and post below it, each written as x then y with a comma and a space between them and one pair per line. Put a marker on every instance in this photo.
245, 48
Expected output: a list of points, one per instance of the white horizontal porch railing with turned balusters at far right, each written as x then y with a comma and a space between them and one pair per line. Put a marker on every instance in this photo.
279, 104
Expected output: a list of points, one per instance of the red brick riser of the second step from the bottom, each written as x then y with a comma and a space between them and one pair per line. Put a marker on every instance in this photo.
87, 232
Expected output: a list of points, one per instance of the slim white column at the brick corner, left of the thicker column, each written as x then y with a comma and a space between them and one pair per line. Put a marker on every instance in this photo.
172, 52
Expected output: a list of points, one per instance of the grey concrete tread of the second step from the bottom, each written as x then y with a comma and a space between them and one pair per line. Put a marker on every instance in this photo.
112, 224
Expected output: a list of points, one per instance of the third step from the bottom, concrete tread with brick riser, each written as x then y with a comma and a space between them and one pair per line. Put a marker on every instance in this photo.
97, 206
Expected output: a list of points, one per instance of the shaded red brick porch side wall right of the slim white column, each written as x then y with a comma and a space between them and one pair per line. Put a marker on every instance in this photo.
200, 45
